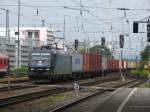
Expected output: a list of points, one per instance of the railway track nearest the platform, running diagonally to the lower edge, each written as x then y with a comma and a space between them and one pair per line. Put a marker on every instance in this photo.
133, 83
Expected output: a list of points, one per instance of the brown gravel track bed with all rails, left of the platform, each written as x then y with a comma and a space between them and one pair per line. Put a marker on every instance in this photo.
58, 96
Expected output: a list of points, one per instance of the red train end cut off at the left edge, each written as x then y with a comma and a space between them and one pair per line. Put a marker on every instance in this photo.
4, 65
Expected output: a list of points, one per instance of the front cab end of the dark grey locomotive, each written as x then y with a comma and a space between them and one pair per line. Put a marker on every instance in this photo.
40, 64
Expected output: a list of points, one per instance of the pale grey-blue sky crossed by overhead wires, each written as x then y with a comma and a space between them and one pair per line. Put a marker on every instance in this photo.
100, 18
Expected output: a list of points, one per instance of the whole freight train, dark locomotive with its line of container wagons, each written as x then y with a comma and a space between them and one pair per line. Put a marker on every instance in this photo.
48, 63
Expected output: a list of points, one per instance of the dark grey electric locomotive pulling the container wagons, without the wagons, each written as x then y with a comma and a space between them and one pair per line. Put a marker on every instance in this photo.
49, 63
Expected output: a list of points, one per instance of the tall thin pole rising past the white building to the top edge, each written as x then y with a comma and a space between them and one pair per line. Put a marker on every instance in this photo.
18, 61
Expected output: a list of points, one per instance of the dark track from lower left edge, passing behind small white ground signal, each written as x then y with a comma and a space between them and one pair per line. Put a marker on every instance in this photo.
47, 92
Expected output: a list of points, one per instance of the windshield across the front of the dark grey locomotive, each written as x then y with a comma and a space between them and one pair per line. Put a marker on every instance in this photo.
40, 56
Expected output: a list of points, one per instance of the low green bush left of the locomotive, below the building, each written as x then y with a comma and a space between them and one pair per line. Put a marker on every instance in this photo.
19, 72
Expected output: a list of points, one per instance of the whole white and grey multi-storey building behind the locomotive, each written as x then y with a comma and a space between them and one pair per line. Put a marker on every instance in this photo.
29, 37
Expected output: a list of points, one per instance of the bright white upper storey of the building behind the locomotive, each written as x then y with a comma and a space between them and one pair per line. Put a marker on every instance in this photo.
28, 35
